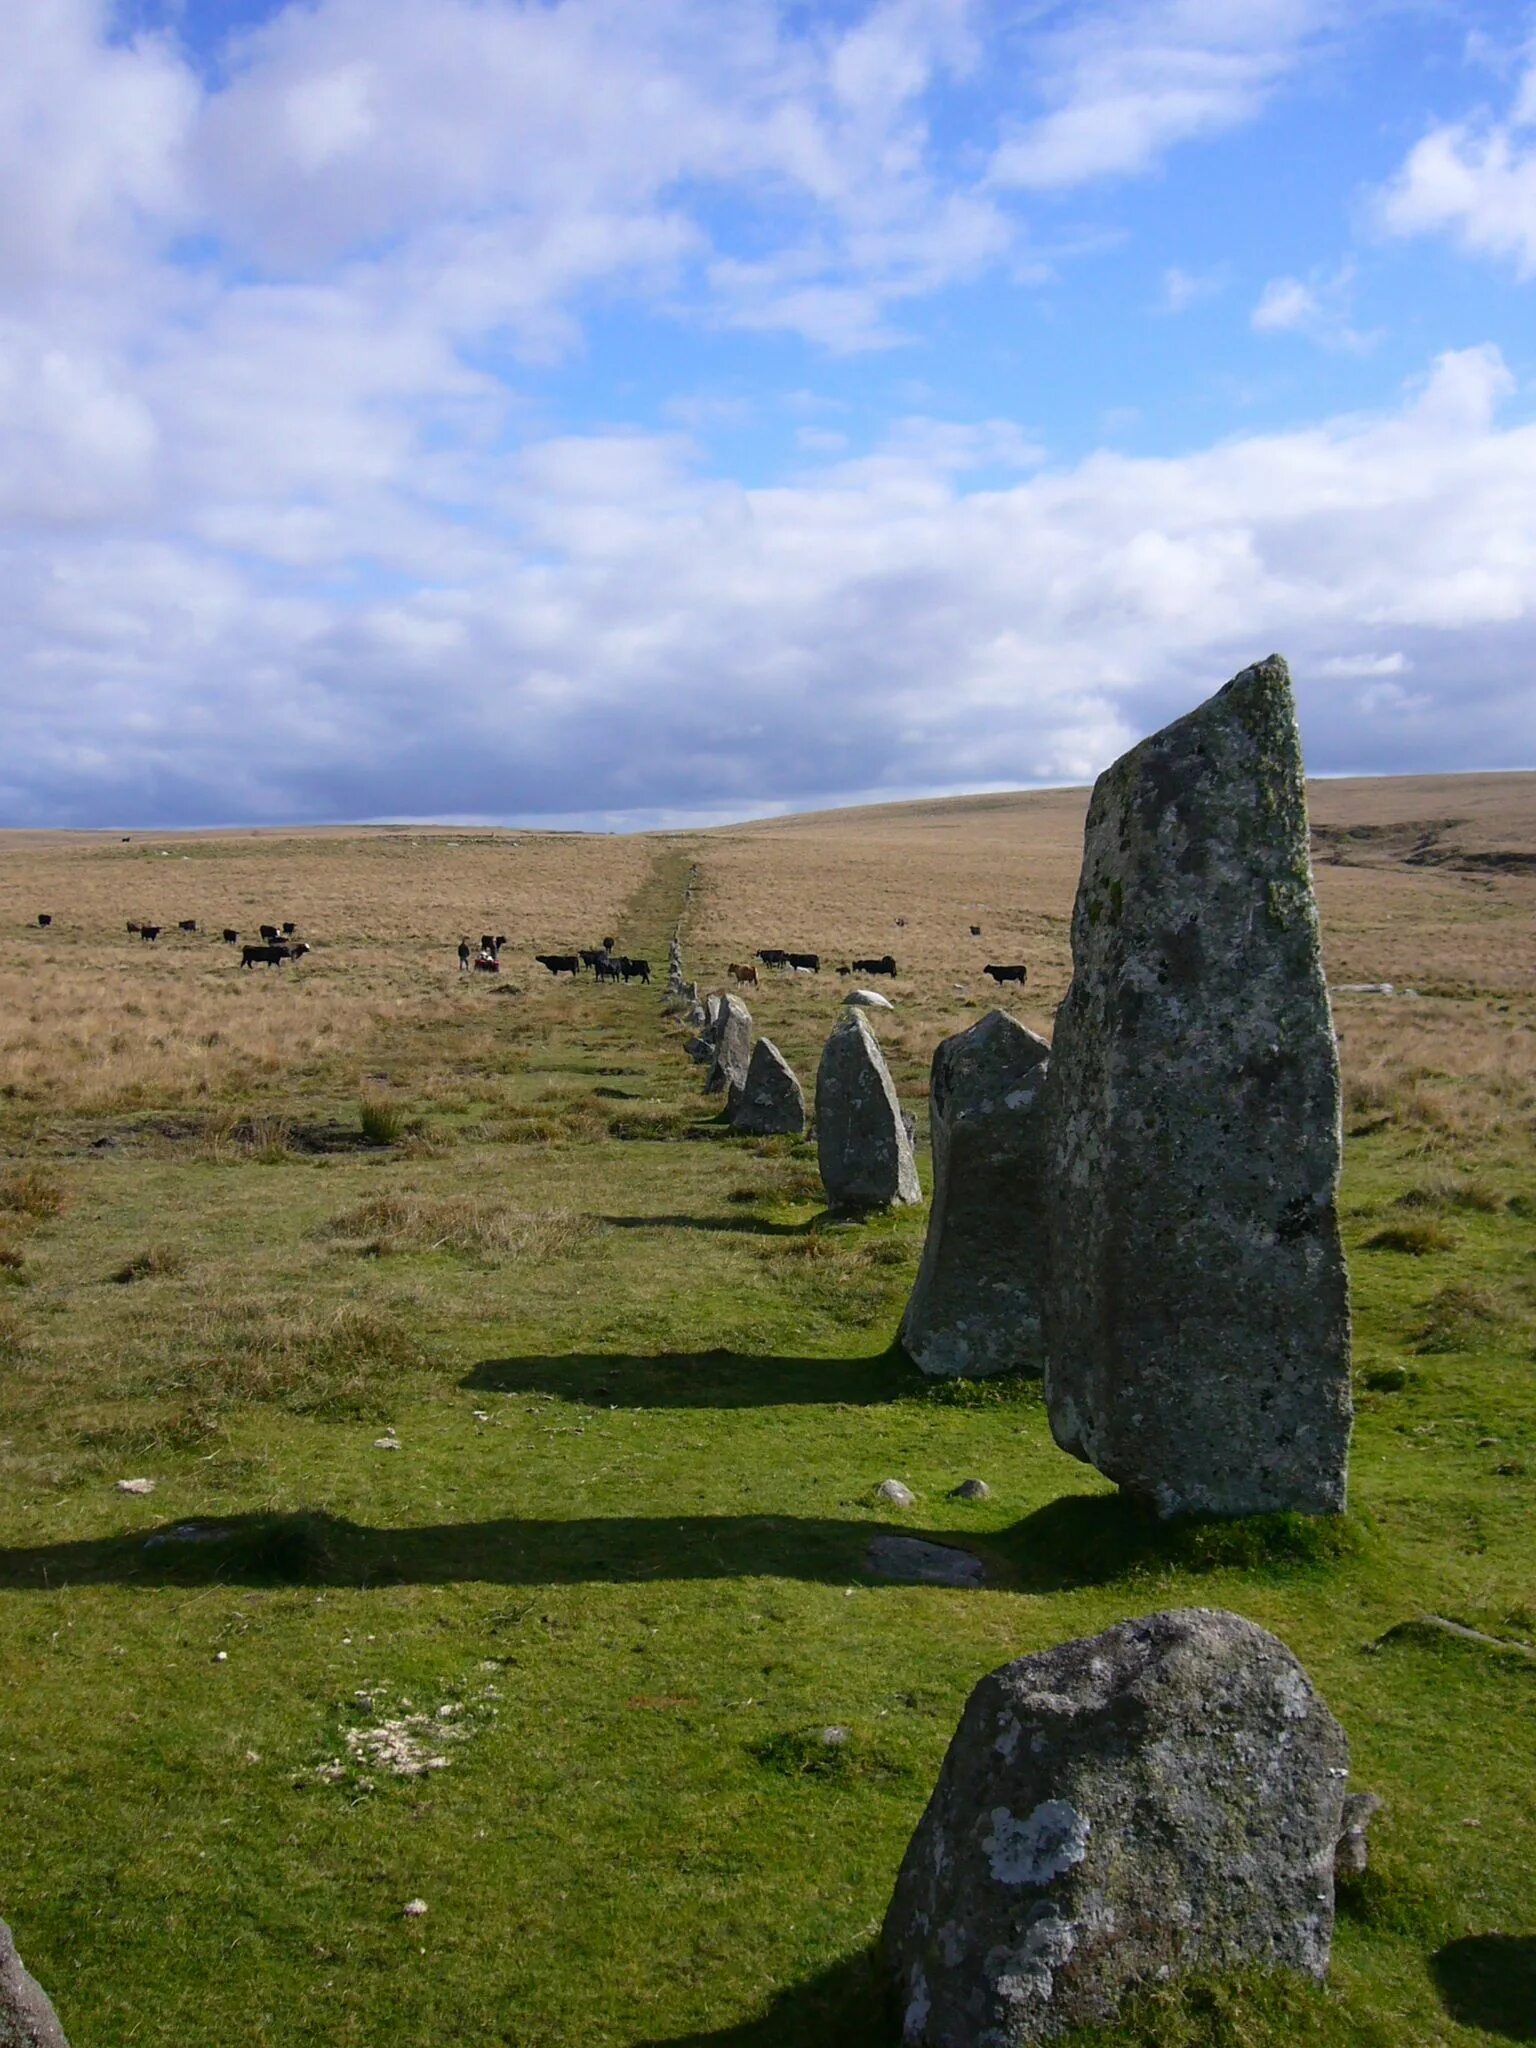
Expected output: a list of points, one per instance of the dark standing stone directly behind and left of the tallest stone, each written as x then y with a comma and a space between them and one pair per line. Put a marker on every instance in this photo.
976, 1306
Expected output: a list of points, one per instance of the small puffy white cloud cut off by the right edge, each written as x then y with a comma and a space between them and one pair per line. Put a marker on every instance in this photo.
1476, 183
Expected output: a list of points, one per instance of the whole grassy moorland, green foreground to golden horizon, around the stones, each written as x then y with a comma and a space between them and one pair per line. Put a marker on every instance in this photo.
515, 1435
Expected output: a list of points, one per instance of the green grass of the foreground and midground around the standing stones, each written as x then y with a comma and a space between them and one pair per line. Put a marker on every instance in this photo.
644, 1392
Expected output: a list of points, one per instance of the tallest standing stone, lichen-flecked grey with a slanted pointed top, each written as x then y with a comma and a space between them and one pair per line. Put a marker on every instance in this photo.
1199, 1312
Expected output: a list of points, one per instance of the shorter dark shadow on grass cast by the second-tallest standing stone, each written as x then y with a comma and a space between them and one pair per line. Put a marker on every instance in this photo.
699, 1379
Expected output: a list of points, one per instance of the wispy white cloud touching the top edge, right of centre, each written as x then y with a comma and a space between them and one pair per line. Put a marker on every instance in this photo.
1132, 81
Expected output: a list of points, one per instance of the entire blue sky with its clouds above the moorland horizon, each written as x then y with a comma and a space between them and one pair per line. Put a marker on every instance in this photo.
591, 413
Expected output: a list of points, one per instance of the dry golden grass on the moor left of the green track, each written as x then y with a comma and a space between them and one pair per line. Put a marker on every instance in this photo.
93, 1019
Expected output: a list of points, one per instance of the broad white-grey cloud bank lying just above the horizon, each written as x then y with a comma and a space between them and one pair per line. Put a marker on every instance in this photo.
644, 636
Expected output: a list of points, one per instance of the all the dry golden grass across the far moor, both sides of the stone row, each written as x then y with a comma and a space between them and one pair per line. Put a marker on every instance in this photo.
1428, 884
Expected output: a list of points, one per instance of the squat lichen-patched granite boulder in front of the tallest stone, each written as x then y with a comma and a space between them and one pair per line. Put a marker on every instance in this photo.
1158, 1799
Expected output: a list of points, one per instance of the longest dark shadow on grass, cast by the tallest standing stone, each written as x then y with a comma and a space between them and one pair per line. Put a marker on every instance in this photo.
1072, 1543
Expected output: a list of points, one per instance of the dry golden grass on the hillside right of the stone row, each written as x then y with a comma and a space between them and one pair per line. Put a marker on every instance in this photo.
1424, 882
